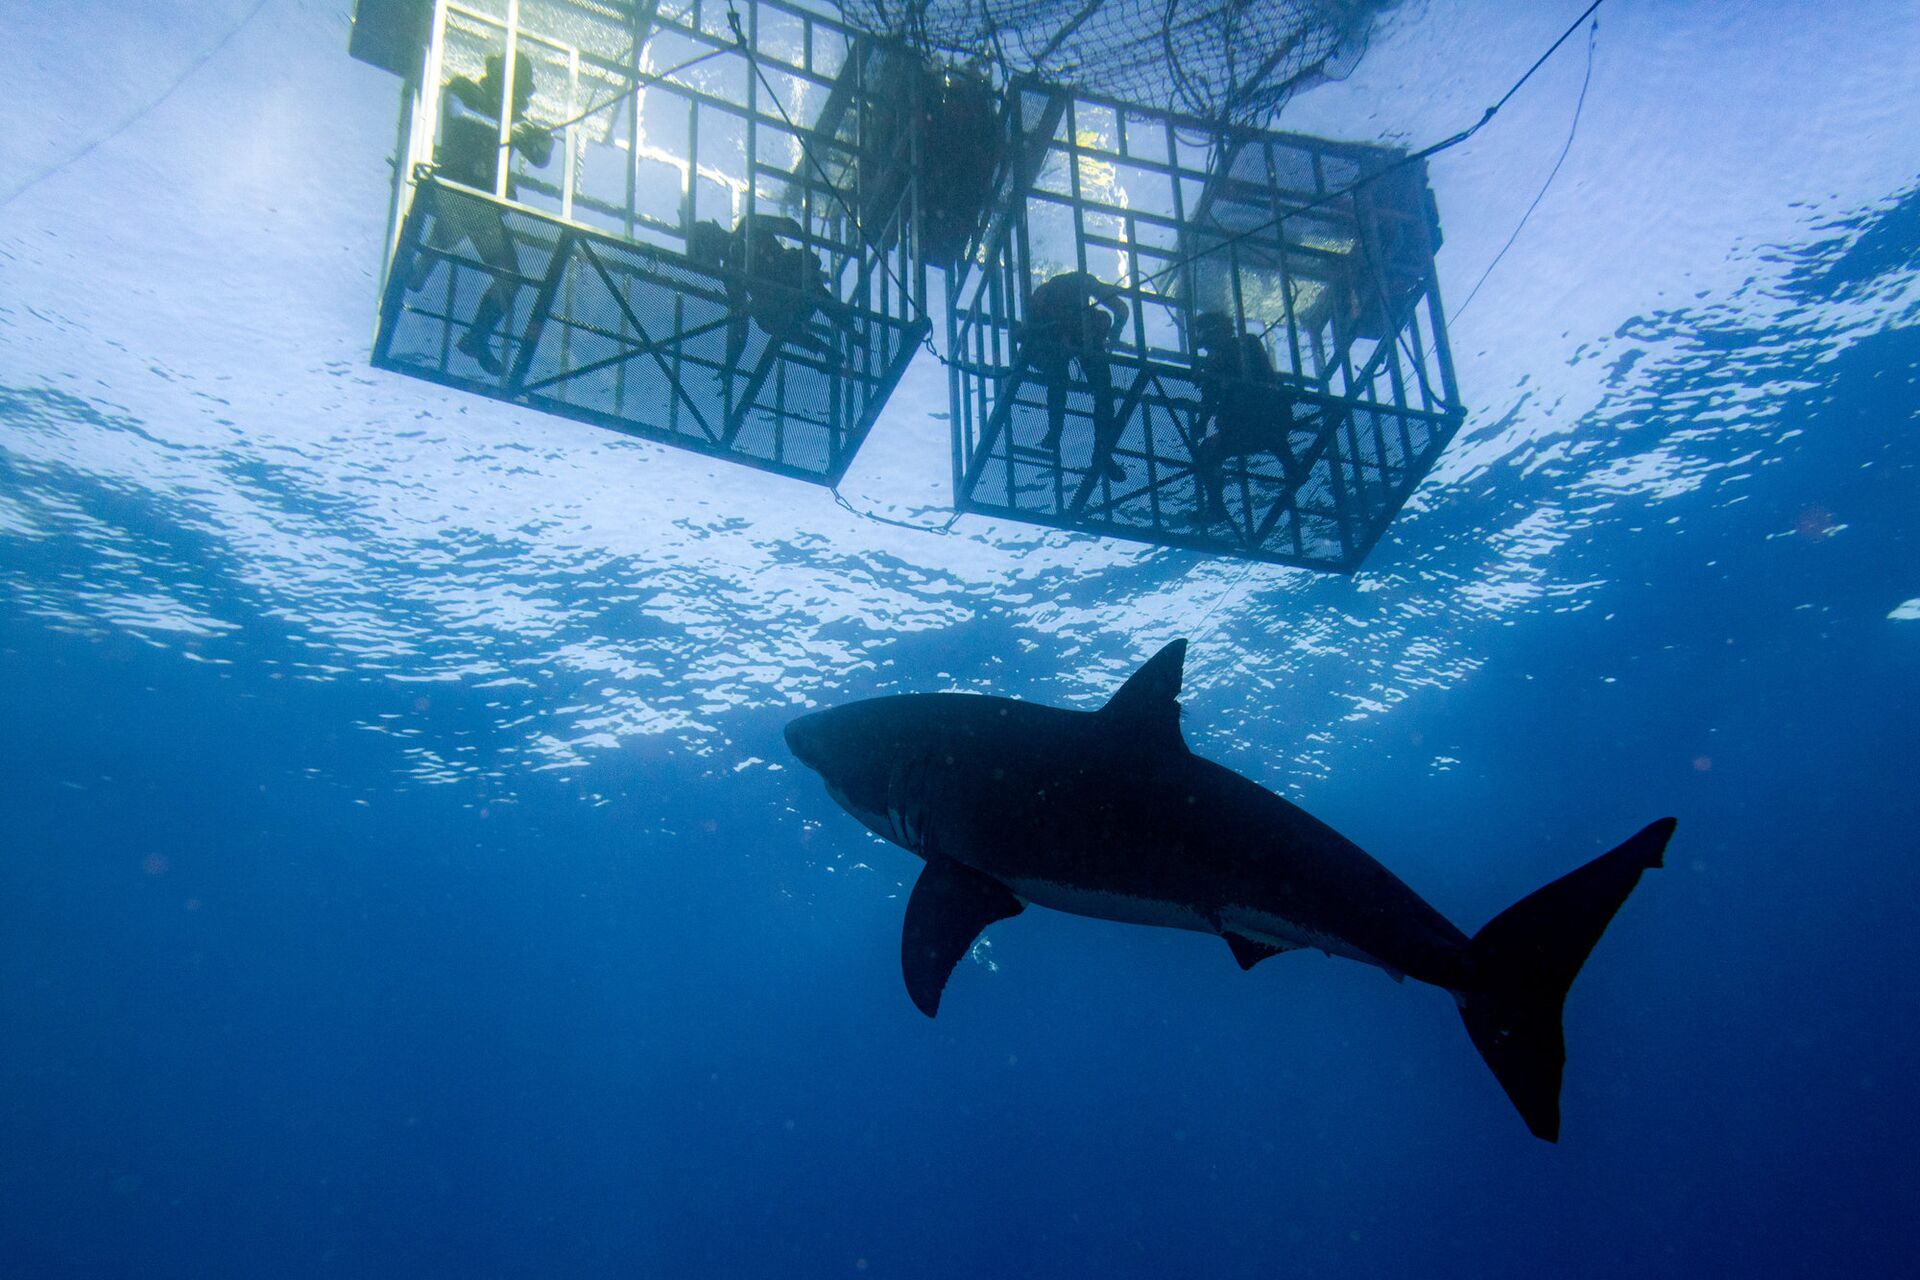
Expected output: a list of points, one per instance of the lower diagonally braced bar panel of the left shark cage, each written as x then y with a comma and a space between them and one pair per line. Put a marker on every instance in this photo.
636, 339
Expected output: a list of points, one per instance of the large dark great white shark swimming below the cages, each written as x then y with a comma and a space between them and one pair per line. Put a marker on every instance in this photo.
1109, 815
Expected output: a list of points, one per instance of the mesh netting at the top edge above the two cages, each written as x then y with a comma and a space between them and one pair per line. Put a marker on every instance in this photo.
1226, 60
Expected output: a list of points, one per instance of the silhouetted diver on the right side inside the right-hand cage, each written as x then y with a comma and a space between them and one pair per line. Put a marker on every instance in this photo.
1245, 402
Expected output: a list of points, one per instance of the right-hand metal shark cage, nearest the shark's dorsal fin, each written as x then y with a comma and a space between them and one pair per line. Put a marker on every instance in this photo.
1320, 252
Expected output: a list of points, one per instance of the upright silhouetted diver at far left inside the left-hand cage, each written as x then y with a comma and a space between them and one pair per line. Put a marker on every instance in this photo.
469, 154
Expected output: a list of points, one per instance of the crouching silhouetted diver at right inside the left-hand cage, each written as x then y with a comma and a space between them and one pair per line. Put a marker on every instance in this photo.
775, 285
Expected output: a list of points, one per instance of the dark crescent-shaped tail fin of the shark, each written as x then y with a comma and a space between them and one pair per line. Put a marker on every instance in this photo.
1525, 960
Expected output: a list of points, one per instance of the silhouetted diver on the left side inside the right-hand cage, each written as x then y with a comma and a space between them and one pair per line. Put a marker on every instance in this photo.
1070, 320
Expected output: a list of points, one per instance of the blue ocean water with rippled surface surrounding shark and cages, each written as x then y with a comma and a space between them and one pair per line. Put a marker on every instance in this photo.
402, 872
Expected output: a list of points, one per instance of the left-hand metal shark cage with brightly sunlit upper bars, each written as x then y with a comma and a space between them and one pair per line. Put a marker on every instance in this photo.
715, 247
